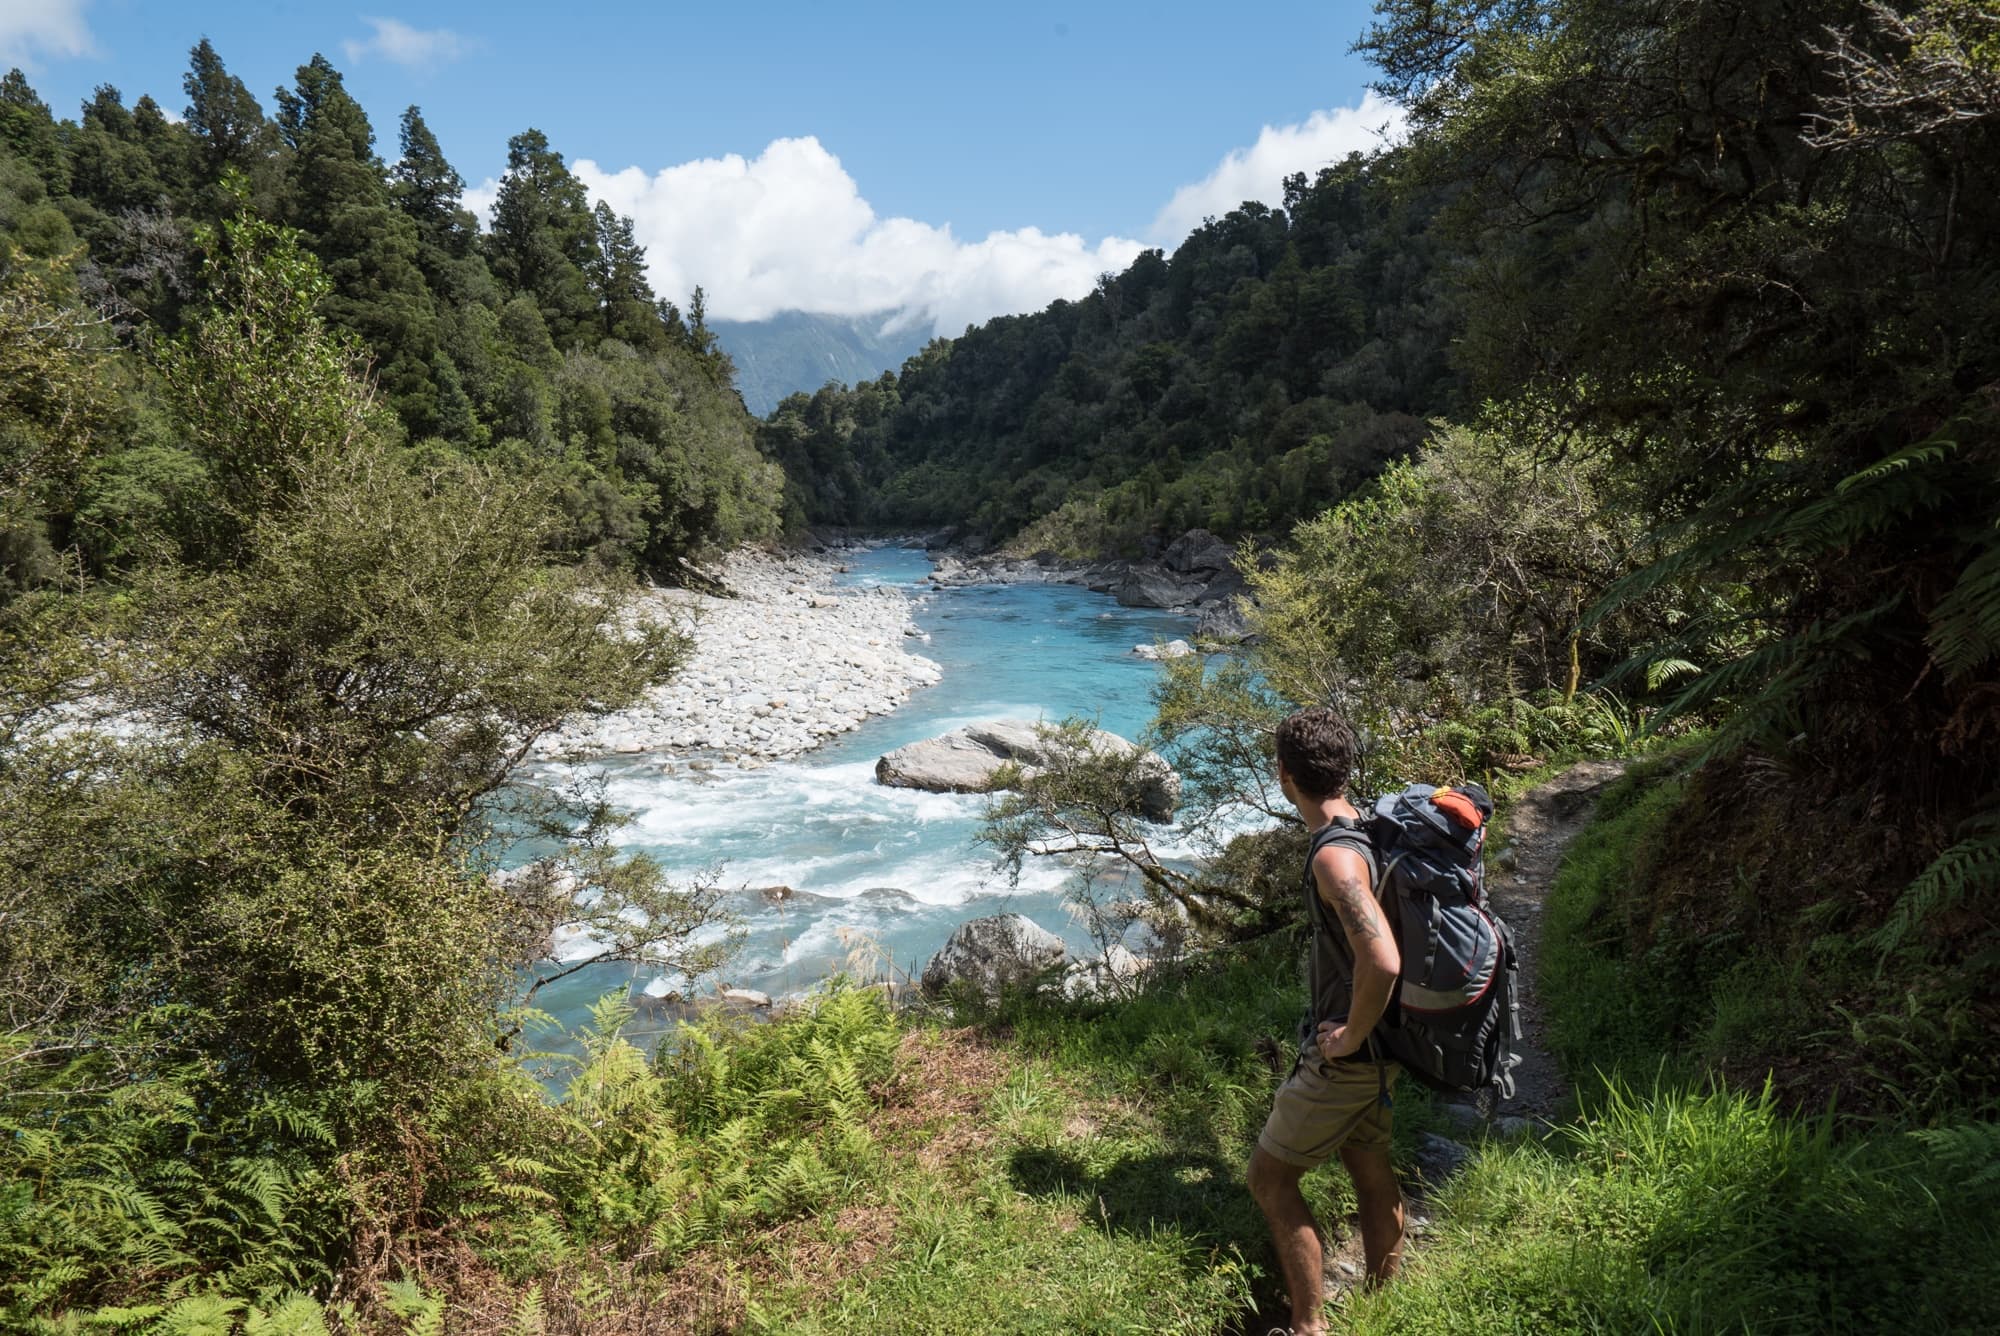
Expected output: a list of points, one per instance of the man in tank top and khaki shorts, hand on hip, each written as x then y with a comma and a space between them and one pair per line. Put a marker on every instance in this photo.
1337, 1099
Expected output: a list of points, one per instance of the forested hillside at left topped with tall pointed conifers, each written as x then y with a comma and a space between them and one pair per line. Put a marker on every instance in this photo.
537, 347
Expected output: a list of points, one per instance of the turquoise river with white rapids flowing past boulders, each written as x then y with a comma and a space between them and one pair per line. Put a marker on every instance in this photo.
887, 873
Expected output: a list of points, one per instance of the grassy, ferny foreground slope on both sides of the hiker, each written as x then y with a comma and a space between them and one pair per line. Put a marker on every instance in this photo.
1049, 1169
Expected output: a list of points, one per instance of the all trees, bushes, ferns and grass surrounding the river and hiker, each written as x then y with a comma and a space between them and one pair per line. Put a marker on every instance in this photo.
1643, 405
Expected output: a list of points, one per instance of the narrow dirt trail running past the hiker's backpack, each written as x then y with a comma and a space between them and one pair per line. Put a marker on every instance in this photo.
1539, 827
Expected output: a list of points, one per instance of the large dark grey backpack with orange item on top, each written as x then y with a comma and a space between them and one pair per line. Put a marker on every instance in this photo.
1453, 1017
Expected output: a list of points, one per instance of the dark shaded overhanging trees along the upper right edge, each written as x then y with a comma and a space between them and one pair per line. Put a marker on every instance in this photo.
1729, 245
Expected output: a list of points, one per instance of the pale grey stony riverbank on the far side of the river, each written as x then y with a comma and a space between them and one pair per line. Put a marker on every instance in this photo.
777, 671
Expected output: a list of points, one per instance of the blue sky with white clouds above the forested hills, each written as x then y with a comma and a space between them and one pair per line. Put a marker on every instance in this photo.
977, 123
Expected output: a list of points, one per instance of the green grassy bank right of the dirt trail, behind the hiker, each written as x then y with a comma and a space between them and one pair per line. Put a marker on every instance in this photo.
1691, 1193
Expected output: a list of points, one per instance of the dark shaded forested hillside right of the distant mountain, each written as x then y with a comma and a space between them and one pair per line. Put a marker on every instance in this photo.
1267, 367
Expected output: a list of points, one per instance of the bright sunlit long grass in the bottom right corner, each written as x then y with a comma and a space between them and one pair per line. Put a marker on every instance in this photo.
1685, 1211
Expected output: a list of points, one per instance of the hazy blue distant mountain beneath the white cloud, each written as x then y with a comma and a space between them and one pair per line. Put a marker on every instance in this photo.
799, 351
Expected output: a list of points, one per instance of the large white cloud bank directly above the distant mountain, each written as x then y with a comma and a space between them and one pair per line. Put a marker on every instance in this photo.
791, 231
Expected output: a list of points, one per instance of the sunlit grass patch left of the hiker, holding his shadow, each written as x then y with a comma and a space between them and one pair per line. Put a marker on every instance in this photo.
1107, 1193
